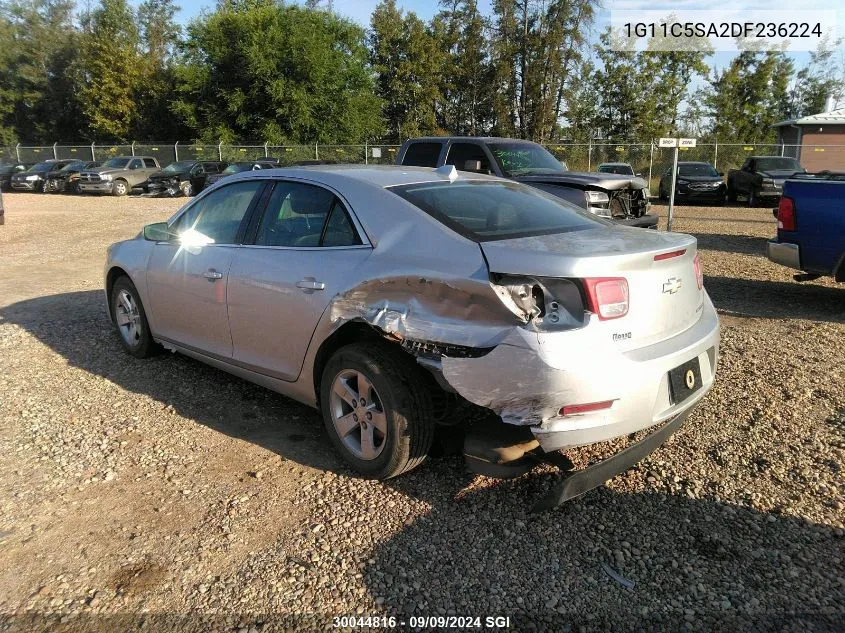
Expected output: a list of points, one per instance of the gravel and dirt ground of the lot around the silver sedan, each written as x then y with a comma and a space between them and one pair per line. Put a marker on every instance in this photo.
170, 489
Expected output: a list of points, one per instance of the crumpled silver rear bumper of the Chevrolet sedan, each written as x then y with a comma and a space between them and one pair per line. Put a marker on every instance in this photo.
528, 377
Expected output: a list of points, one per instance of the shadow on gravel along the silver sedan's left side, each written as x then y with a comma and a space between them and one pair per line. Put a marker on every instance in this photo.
76, 326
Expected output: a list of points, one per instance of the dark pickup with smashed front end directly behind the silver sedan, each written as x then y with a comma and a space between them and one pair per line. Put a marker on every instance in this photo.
623, 199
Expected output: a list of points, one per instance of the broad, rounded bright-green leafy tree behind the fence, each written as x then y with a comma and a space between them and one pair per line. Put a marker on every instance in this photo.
258, 70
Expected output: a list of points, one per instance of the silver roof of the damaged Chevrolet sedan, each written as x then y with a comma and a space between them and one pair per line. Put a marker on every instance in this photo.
376, 175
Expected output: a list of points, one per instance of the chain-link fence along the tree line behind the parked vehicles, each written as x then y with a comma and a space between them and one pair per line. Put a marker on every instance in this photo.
646, 158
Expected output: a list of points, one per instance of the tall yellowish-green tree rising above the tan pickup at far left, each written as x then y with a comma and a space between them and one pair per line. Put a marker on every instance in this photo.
110, 68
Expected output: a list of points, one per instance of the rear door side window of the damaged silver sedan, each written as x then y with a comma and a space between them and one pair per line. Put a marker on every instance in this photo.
301, 215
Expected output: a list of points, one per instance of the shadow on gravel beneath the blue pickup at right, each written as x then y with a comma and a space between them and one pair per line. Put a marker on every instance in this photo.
776, 299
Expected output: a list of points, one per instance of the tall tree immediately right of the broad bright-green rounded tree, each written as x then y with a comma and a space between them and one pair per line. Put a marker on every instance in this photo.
407, 62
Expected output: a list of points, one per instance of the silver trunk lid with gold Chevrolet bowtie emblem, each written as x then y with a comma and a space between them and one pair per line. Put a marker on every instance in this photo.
664, 299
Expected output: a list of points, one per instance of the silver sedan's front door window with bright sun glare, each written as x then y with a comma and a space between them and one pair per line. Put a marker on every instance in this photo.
216, 218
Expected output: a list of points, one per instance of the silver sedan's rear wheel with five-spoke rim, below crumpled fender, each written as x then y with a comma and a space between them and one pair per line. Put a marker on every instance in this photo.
377, 409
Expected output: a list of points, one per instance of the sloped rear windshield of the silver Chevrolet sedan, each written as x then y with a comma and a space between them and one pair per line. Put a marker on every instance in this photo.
491, 210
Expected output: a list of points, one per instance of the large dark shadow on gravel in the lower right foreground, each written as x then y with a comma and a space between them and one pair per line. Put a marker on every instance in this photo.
695, 564
